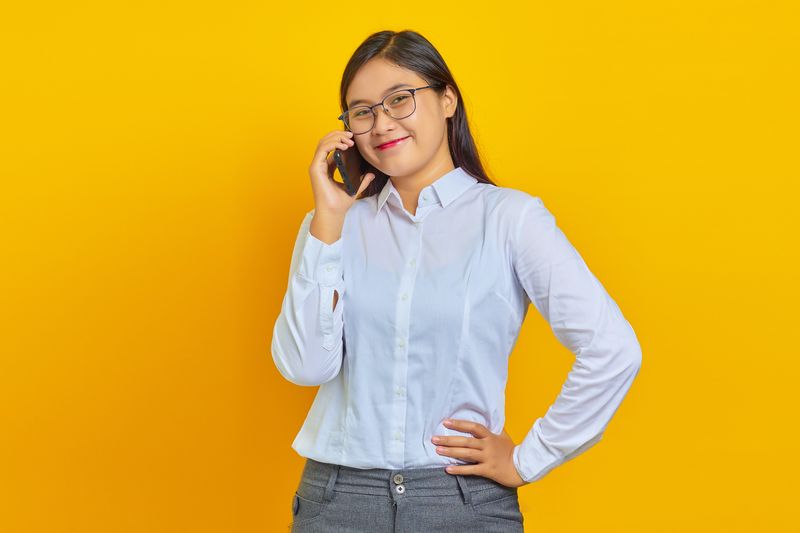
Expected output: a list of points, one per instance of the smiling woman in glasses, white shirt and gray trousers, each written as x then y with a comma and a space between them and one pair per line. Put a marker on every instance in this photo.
404, 303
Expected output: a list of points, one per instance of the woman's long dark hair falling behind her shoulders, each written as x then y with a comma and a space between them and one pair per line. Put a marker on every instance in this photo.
410, 50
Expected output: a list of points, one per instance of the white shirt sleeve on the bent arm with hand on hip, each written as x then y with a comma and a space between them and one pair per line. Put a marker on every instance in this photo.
587, 321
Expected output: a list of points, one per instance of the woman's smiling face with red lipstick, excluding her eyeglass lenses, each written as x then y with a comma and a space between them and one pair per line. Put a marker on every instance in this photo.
425, 130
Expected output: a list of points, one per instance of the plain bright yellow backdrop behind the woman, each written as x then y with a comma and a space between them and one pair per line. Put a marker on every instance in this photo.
154, 173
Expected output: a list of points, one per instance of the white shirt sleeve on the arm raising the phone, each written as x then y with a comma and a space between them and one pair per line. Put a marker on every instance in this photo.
307, 340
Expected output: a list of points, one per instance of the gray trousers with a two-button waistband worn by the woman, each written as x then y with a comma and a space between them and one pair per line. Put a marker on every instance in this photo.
333, 498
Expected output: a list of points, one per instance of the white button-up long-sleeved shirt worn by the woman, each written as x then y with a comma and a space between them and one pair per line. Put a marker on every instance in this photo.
430, 307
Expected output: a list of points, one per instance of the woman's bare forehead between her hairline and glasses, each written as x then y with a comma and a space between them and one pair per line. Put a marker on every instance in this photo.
375, 78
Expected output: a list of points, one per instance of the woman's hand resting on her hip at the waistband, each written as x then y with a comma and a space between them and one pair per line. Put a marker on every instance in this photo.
493, 453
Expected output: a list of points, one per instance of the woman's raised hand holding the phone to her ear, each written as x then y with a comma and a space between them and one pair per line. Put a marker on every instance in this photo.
331, 196
